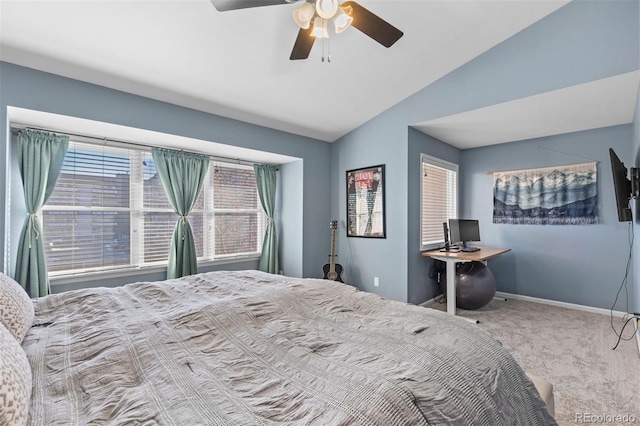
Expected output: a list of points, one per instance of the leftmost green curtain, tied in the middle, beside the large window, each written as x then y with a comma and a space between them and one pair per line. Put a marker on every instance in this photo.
40, 158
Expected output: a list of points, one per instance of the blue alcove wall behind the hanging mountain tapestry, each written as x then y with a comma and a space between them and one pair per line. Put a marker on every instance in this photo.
582, 264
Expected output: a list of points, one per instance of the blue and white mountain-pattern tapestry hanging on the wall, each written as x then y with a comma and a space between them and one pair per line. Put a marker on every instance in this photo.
563, 195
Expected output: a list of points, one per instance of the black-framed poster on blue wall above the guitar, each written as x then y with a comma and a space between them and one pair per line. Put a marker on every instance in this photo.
365, 202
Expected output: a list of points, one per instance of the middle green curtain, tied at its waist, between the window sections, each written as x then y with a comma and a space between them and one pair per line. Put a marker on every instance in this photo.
182, 175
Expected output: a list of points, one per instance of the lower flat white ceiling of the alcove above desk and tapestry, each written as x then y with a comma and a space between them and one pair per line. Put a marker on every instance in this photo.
601, 103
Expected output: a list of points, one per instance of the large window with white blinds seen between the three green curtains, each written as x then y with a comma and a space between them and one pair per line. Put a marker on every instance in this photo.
109, 211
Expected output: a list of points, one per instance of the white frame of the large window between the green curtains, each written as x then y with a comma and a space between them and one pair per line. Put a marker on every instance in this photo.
137, 265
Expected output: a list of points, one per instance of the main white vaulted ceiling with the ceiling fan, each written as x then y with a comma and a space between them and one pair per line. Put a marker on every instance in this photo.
236, 63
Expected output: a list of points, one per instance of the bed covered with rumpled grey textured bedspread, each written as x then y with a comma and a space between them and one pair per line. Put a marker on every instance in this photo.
246, 347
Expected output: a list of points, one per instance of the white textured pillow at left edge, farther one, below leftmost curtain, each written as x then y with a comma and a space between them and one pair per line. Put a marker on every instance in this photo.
16, 307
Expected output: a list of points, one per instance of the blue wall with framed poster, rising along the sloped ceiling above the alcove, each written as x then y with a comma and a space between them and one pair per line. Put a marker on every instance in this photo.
580, 42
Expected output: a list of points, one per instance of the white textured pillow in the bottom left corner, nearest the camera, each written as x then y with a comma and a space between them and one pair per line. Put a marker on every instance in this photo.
15, 386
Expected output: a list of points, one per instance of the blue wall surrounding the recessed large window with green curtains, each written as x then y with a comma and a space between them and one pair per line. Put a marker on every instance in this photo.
310, 196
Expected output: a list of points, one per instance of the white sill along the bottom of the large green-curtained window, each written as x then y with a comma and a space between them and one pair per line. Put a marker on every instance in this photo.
136, 271
